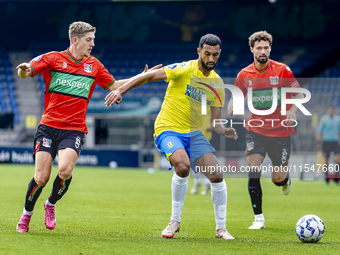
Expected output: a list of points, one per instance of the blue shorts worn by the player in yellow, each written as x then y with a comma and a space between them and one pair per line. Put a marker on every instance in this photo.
194, 143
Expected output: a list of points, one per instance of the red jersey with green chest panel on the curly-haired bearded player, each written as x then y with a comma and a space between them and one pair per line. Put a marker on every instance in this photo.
262, 82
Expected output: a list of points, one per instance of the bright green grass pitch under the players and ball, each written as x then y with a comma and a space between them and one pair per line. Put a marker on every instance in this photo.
123, 211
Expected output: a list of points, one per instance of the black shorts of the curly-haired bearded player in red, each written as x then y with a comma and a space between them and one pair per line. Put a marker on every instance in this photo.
278, 148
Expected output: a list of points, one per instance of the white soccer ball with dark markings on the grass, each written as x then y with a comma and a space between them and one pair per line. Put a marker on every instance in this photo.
310, 228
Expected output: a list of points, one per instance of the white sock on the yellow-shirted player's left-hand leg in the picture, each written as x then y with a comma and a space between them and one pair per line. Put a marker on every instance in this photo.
179, 190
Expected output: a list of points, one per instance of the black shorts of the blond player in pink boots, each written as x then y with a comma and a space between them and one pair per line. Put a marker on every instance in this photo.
52, 140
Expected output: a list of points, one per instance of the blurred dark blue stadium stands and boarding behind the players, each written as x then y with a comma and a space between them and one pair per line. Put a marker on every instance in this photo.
132, 34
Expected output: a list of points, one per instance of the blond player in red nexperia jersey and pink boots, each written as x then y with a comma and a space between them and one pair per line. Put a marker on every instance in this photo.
70, 77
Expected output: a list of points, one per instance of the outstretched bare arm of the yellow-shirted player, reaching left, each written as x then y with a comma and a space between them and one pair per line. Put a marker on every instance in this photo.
116, 95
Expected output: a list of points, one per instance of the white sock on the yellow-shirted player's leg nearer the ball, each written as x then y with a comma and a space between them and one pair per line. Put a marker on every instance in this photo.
219, 199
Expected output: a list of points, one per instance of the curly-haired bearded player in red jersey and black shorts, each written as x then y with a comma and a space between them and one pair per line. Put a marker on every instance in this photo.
266, 133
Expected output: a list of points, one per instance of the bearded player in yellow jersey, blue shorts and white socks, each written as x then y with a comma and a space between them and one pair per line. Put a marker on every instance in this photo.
177, 127
